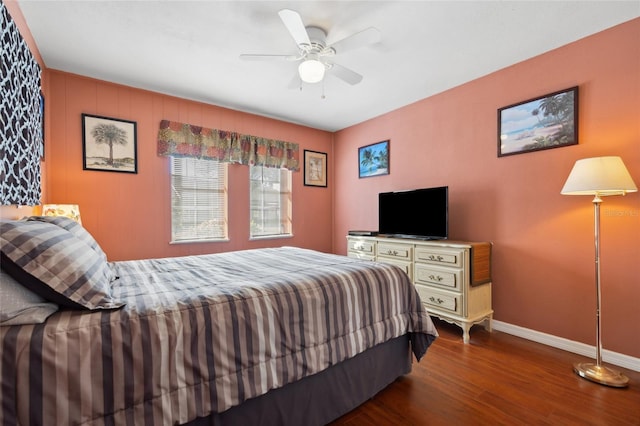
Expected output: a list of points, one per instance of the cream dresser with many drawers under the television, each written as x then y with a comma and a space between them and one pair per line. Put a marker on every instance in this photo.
453, 278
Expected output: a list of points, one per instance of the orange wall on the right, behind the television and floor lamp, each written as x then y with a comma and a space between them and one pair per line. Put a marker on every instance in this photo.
543, 264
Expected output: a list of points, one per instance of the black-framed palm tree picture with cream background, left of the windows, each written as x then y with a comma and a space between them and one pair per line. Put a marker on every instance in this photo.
109, 144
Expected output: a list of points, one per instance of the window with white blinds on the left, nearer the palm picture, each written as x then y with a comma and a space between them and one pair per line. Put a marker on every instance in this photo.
198, 199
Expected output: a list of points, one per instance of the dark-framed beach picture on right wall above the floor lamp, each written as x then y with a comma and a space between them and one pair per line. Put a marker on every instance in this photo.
550, 121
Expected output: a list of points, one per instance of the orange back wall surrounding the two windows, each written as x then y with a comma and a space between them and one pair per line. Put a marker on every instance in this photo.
129, 214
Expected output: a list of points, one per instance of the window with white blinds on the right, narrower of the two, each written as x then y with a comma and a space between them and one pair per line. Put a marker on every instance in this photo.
270, 201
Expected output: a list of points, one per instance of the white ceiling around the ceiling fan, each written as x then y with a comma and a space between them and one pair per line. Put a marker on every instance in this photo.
191, 49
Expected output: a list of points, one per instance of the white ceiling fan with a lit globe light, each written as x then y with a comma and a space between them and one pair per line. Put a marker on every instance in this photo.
313, 52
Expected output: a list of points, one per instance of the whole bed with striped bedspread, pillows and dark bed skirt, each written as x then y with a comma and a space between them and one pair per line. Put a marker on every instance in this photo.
267, 336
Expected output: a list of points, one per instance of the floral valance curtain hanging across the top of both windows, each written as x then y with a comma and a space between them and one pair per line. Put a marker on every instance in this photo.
185, 140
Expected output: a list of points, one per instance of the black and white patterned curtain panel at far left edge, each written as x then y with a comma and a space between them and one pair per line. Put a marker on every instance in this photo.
20, 118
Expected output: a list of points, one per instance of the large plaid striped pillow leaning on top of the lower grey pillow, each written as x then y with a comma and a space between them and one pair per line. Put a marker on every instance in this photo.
55, 264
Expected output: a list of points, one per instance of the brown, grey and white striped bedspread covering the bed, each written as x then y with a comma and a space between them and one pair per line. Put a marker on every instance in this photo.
200, 334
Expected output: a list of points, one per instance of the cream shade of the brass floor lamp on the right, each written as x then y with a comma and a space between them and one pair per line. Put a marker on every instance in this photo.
599, 176
